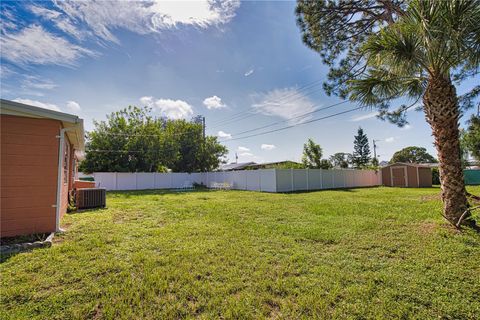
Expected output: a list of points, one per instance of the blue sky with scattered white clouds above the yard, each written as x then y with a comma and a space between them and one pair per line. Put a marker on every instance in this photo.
184, 59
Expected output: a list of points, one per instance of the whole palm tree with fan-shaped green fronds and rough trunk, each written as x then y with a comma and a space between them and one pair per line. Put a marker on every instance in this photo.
434, 44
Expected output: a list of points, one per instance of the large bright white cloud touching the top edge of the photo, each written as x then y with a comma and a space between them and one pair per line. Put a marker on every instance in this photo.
143, 17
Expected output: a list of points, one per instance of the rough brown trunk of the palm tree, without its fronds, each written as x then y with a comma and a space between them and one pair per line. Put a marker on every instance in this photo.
442, 113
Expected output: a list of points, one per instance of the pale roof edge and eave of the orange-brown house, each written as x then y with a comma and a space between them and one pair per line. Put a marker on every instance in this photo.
76, 135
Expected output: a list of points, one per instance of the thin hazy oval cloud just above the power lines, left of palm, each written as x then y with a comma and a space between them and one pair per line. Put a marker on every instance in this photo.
286, 103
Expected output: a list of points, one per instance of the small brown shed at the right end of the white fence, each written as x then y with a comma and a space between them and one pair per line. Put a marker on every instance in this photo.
407, 175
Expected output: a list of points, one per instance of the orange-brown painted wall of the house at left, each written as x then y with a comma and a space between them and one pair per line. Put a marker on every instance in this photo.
28, 175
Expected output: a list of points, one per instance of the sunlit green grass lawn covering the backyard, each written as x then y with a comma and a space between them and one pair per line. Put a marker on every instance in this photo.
380, 253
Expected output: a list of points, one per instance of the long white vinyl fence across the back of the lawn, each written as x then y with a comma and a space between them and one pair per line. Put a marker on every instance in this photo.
268, 180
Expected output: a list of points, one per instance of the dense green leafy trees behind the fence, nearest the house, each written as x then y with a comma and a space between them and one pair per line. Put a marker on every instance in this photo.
132, 140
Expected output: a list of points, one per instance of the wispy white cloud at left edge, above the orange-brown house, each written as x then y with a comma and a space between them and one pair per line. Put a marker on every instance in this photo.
35, 45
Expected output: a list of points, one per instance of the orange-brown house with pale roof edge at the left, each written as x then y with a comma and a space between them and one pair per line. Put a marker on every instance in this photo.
40, 150
